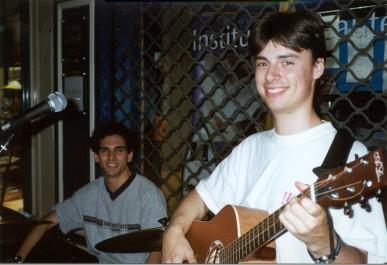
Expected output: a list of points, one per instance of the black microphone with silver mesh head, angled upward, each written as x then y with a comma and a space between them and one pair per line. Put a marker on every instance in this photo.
55, 102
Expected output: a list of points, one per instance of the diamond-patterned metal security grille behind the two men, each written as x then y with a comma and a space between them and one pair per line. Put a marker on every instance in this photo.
183, 78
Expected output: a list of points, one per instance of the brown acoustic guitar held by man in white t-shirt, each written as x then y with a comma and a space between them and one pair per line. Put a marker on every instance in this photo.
240, 234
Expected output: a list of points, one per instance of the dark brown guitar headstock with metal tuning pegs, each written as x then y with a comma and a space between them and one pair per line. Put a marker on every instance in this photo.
357, 181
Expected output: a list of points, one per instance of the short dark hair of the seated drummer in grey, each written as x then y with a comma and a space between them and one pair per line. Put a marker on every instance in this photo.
112, 128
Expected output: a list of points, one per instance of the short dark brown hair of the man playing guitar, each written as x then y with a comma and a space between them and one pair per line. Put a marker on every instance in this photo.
300, 30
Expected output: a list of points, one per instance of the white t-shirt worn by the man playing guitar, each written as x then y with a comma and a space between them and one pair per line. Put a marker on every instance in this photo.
261, 173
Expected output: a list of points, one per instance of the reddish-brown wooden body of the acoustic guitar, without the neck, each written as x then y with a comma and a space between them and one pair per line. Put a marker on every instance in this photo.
208, 237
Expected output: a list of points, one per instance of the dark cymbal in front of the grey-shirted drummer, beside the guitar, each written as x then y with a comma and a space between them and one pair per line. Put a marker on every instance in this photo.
140, 241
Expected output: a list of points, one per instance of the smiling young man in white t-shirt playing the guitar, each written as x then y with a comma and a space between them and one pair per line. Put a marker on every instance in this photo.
268, 169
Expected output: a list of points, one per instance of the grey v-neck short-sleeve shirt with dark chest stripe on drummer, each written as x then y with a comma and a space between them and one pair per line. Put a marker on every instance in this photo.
139, 206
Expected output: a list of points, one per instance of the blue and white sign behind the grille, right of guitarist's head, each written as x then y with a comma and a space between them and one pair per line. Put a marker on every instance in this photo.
358, 51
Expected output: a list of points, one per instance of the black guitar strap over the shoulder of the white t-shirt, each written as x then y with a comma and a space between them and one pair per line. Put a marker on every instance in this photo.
338, 152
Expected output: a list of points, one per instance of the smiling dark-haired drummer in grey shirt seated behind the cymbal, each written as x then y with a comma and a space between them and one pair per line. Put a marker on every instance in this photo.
122, 201
